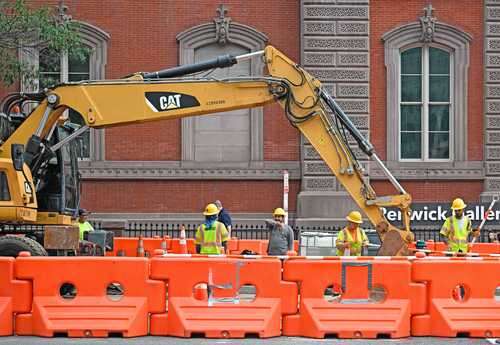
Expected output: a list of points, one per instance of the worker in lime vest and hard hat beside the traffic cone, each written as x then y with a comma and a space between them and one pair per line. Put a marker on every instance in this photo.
212, 235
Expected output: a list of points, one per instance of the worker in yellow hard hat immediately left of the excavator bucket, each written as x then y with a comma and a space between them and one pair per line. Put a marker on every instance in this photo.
351, 240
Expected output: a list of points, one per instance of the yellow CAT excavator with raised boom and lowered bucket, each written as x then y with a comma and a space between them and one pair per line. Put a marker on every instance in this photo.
39, 181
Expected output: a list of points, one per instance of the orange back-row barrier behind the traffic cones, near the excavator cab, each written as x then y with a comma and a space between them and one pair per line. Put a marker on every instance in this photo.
129, 246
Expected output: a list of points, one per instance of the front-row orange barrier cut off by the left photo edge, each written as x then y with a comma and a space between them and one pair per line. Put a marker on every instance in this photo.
15, 296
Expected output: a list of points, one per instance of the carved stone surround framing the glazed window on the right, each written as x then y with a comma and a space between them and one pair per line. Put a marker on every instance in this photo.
454, 40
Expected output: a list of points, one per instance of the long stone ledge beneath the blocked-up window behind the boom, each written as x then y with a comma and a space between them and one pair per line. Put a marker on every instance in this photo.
173, 170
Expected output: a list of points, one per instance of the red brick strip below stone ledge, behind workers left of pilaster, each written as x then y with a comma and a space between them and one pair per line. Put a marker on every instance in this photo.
185, 196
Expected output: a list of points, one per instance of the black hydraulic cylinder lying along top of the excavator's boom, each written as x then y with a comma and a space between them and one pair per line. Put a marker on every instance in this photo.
219, 62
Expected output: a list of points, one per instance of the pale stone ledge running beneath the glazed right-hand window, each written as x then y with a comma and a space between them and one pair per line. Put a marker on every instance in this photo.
465, 170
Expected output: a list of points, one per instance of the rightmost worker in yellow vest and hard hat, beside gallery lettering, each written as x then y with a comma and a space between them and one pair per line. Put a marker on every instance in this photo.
457, 228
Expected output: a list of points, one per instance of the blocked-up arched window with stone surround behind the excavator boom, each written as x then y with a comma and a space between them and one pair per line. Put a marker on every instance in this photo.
234, 138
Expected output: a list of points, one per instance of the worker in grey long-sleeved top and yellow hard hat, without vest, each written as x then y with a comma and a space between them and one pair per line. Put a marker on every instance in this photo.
281, 234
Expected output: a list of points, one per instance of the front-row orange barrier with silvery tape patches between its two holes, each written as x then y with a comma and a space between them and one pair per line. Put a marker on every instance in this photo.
222, 314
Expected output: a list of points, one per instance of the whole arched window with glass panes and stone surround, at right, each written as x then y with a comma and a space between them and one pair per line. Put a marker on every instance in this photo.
426, 94
